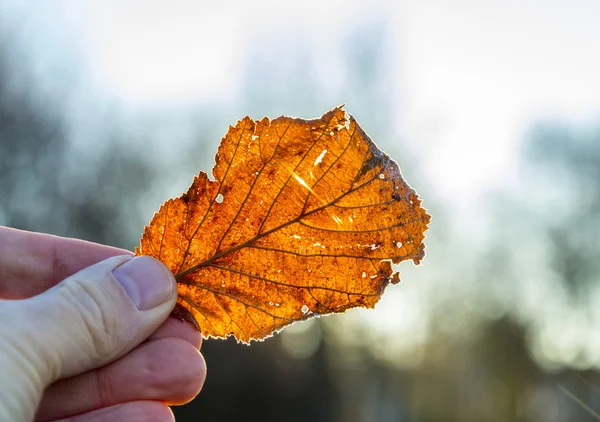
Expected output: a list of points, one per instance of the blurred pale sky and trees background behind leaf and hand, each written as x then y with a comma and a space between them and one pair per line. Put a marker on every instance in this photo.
492, 110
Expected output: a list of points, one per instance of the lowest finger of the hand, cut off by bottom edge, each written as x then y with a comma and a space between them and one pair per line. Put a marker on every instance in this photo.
137, 411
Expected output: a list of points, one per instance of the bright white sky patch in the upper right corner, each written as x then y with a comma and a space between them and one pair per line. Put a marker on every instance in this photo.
478, 73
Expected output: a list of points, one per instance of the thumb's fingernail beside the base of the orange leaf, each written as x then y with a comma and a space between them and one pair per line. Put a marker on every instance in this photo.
147, 282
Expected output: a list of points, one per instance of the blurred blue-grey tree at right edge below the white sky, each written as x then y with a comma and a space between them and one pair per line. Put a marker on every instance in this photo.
568, 159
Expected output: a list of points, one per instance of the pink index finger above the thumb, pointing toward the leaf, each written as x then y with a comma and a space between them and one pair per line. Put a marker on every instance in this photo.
31, 263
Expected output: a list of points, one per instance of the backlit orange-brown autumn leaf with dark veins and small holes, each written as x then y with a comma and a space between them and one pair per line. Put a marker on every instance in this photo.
304, 218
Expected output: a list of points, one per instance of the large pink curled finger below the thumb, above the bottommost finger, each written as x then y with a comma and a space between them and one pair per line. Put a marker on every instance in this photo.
168, 369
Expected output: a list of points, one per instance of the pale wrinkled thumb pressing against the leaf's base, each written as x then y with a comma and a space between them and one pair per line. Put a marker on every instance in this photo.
86, 321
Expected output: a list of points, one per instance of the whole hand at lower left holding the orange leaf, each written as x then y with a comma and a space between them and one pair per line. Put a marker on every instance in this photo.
90, 334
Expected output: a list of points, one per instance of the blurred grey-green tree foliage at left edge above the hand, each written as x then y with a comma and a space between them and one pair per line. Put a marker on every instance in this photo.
46, 185
